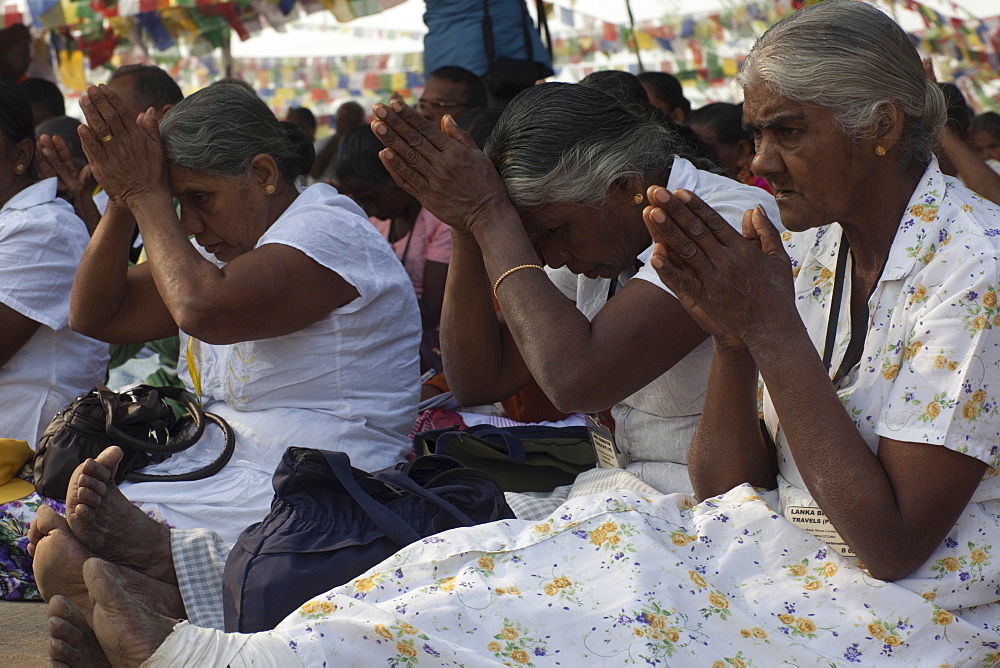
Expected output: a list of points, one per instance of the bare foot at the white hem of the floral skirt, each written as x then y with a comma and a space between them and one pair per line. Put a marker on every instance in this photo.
127, 630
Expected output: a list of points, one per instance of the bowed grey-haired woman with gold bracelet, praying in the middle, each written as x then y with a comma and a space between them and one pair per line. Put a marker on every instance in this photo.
566, 189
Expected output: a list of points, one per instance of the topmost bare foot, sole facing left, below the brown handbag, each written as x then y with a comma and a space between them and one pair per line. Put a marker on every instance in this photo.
110, 526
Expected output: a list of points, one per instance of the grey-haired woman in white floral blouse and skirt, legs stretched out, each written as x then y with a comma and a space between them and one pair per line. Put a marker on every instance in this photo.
877, 540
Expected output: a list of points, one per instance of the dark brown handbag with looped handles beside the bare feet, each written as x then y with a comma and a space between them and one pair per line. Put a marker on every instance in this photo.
138, 421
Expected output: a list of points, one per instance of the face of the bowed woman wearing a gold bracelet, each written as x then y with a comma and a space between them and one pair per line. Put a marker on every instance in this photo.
586, 240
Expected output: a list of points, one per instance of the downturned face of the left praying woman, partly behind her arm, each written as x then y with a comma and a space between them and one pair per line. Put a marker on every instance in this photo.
226, 216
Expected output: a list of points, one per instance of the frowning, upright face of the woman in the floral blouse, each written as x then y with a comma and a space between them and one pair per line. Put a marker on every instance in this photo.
818, 173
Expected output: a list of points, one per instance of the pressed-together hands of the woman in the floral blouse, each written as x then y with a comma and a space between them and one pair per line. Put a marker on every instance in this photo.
736, 287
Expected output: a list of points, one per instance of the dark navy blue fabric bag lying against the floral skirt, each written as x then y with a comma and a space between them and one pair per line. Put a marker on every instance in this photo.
330, 522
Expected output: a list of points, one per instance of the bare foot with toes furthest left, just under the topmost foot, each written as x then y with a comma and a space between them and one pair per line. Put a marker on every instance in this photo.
58, 565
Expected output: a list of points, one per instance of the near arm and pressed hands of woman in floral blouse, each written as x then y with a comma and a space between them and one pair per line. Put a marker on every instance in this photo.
912, 492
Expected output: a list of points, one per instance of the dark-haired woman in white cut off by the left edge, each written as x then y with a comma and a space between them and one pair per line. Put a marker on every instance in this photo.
43, 364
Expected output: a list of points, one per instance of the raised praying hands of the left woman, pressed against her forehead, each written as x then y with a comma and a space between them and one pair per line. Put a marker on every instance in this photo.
125, 154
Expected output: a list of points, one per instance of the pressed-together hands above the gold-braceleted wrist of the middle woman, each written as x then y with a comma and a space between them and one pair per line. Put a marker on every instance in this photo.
446, 171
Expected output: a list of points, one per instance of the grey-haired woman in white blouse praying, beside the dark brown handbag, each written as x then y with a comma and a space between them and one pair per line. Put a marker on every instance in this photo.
298, 325
